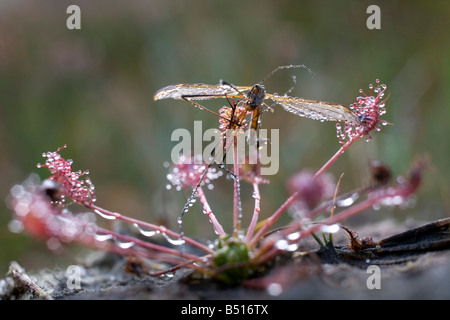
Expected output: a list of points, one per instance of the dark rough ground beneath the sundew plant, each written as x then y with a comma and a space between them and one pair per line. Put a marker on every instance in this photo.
413, 265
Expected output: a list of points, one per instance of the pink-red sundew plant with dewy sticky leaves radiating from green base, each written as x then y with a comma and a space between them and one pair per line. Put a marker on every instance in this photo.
237, 256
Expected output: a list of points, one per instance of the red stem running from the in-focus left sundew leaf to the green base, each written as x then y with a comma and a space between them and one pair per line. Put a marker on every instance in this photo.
161, 229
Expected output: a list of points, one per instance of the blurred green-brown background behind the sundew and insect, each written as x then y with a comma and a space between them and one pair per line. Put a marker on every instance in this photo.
92, 90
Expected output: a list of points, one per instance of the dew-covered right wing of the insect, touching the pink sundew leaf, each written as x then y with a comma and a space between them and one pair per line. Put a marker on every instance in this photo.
316, 110
